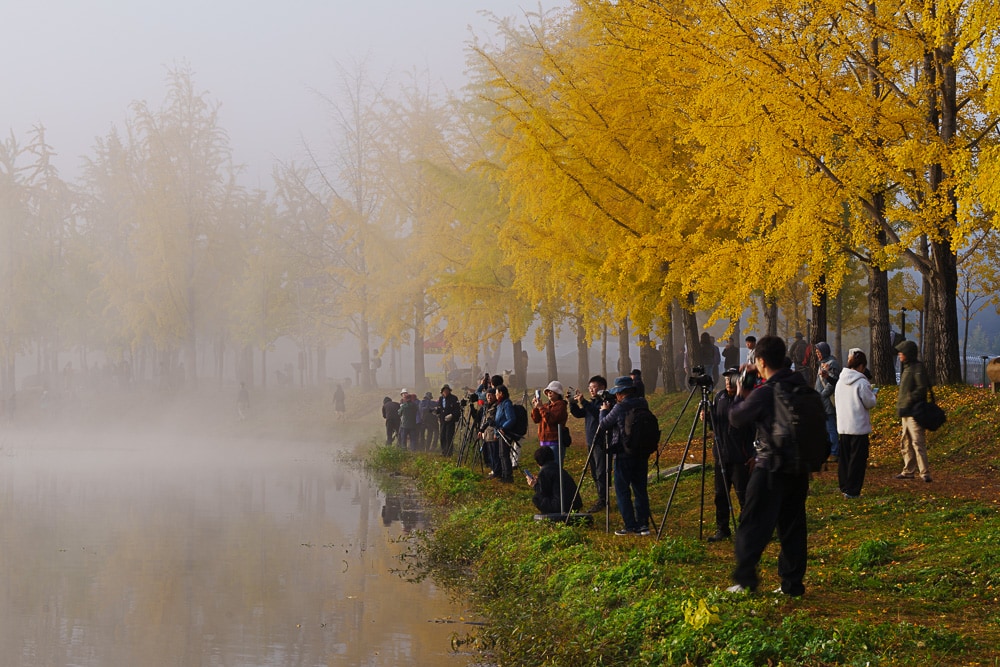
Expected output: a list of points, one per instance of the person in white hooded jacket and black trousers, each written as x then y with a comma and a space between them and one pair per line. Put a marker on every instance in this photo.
854, 400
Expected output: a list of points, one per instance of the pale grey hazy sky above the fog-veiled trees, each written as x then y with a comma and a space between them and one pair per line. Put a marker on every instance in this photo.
75, 66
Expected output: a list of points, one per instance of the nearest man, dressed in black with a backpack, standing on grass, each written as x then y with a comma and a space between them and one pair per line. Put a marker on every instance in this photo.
779, 483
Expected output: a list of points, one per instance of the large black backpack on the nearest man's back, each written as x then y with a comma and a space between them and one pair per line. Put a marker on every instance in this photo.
799, 439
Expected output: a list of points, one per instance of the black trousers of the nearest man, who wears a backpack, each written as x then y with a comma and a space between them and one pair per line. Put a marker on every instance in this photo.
773, 500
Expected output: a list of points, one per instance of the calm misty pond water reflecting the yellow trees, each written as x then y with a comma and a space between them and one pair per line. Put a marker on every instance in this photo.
180, 552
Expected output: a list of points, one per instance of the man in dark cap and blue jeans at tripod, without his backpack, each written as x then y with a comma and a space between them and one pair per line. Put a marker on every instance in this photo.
631, 472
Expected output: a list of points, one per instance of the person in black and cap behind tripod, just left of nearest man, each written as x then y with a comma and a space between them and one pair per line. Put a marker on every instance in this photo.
733, 453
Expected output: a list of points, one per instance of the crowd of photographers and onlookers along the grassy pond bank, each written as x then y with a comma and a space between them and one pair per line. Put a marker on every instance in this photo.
770, 494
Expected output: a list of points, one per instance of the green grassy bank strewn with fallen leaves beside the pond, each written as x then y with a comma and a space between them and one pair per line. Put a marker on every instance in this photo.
908, 574
